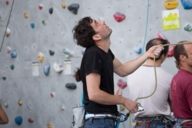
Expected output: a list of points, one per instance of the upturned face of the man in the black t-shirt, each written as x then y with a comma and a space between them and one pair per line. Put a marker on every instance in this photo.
101, 29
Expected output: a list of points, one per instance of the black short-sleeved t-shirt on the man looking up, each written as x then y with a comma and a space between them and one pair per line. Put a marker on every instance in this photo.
95, 60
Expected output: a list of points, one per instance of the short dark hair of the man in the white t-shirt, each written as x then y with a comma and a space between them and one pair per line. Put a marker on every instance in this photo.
156, 41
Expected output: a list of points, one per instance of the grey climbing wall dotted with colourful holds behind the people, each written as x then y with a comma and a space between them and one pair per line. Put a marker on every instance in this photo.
38, 56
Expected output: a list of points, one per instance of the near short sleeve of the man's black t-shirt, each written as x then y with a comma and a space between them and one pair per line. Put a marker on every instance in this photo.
93, 63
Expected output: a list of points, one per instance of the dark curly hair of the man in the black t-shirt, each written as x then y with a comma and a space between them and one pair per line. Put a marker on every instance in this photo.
83, 32
